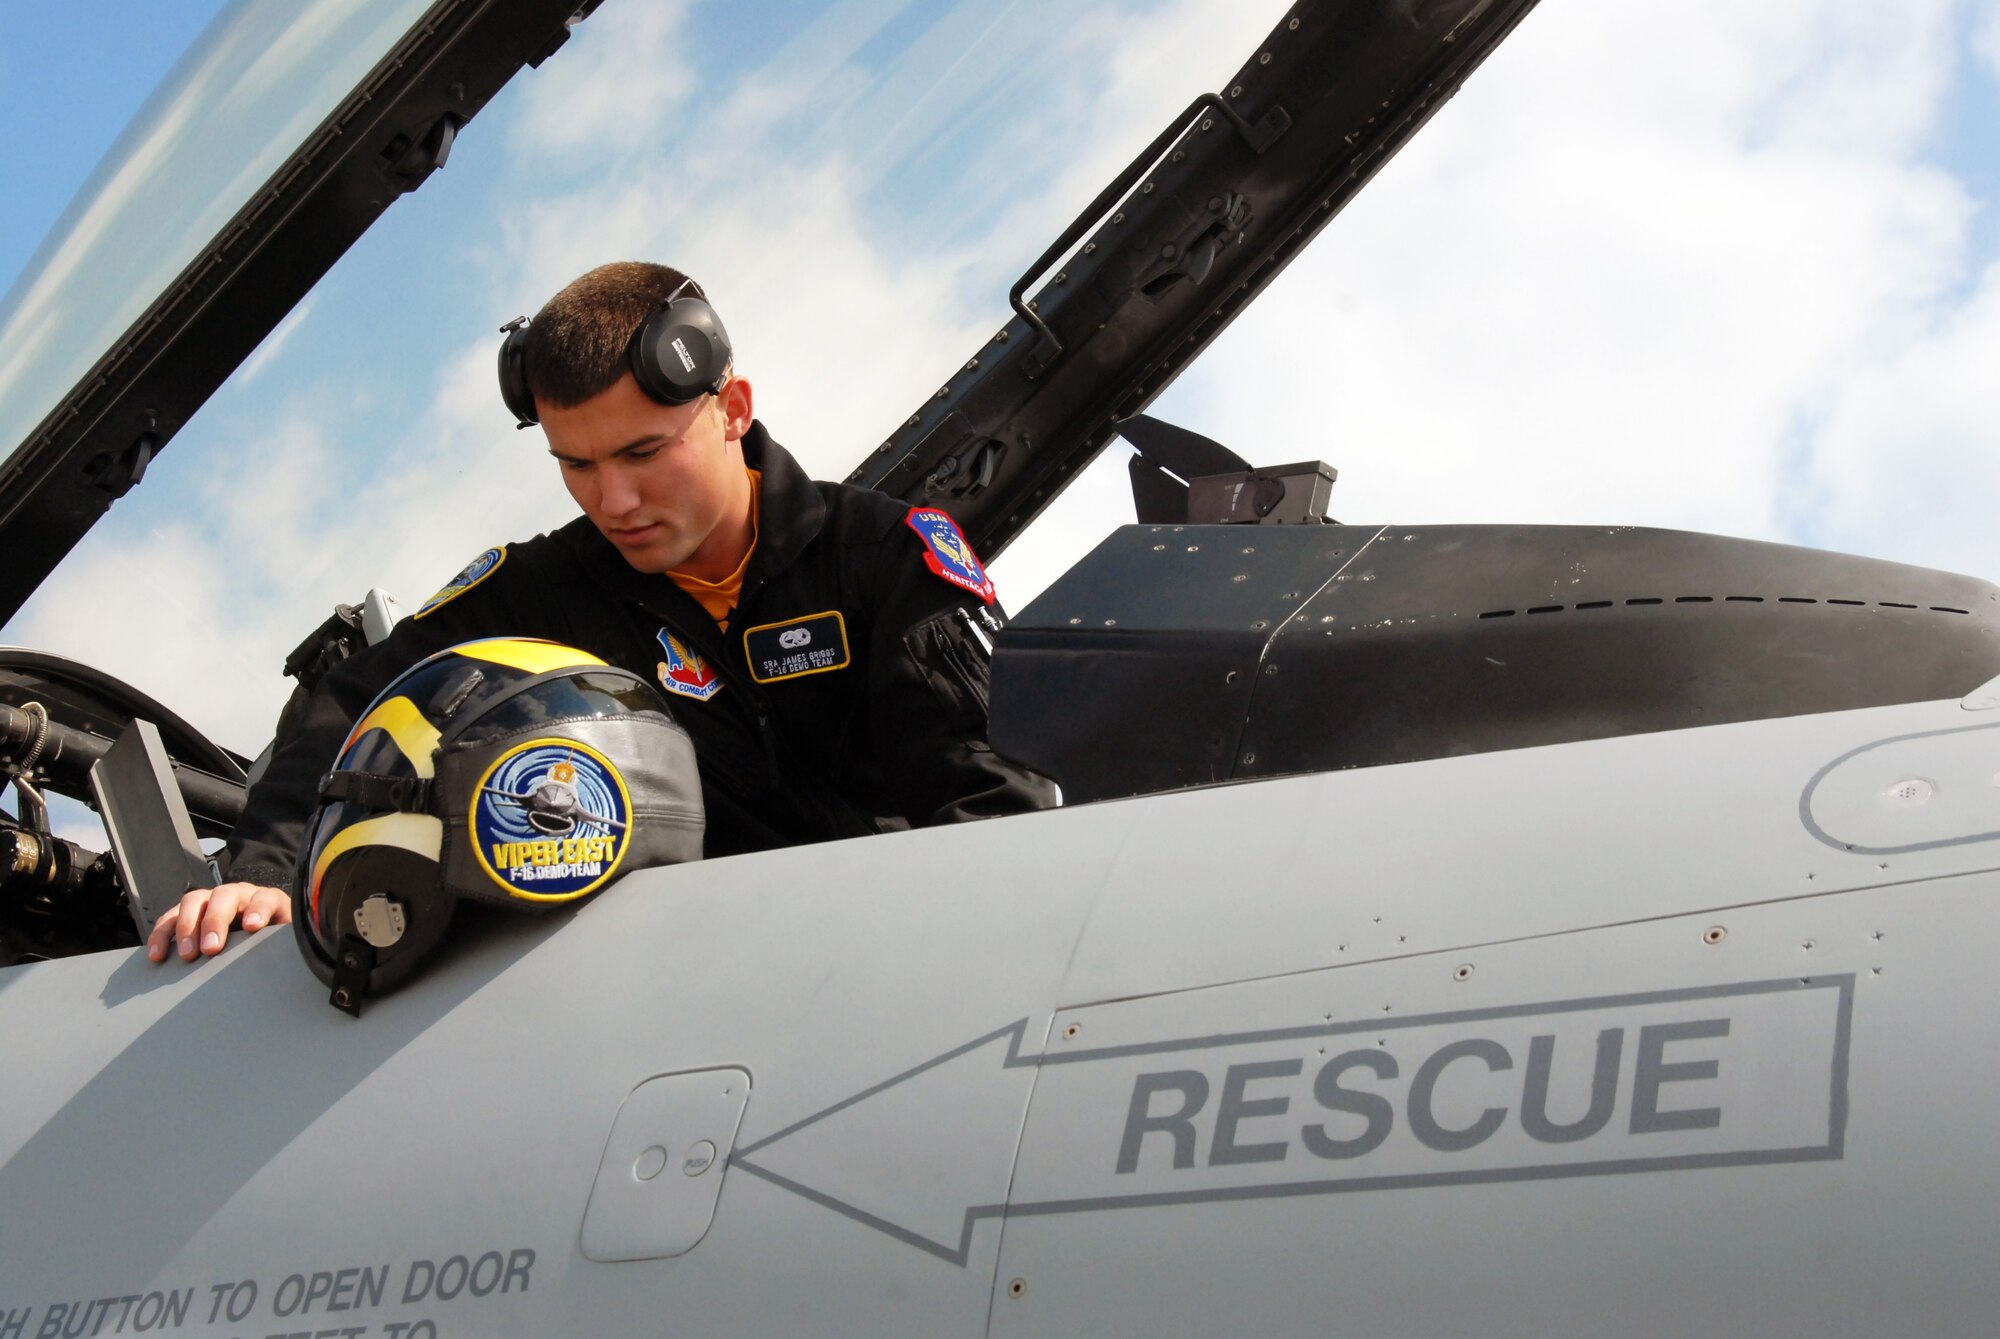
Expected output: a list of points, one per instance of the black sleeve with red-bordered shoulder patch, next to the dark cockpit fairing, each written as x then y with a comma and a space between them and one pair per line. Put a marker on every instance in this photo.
931, 670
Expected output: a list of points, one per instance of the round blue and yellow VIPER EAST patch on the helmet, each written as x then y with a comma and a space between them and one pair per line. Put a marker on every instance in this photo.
551, 820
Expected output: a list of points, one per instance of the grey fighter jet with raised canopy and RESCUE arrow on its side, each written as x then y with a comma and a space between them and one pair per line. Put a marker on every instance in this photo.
1451, 928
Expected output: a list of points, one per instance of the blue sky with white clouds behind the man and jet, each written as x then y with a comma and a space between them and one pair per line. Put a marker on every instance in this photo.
1709, 267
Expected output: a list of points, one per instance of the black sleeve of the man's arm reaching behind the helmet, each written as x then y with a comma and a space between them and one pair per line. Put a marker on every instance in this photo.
263, 848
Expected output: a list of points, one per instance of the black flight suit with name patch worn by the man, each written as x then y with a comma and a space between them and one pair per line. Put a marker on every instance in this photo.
871, 712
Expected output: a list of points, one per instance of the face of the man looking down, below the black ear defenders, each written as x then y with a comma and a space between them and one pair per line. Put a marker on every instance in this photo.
665, 485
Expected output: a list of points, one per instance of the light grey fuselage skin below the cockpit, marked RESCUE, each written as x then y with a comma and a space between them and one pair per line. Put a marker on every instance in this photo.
1659, 1032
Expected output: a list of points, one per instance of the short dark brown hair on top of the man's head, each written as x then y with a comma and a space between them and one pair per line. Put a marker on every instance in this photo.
577, 343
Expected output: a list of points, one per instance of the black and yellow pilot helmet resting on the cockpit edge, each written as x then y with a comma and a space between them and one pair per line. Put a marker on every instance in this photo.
513, 772
